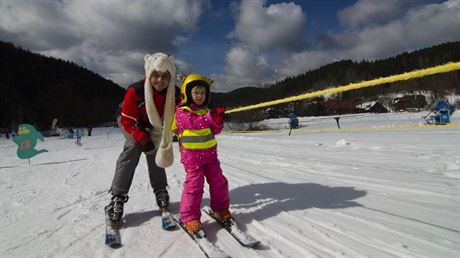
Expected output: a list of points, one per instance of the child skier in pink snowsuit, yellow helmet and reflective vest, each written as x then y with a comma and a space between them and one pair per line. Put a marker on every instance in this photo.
196, 126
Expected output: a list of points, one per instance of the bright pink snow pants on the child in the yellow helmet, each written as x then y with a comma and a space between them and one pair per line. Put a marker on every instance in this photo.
192, 195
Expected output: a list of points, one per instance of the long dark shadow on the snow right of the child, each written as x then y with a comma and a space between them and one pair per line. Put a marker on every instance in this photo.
263, 201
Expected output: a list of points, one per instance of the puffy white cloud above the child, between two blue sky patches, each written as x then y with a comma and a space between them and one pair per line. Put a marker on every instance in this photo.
260, 30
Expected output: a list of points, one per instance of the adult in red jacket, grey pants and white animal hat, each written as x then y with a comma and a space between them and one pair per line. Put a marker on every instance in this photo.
146, 116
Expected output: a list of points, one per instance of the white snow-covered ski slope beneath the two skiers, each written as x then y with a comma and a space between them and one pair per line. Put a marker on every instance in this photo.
382, 186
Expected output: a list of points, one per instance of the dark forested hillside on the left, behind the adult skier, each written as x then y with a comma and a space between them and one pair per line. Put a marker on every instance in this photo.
37, 89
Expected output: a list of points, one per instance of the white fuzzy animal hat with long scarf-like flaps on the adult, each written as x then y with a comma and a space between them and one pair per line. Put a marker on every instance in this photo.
161, 134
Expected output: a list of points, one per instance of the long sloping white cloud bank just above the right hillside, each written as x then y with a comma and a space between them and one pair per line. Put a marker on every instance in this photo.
420, 27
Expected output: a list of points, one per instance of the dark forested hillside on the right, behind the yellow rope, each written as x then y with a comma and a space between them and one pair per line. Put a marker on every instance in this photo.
345, 72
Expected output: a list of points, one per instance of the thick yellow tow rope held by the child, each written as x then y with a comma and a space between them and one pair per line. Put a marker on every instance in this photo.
449, 67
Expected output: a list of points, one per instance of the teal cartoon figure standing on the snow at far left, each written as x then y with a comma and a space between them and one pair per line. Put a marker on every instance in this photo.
26, 141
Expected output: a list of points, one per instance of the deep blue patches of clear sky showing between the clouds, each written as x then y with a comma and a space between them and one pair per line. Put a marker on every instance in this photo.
218, 21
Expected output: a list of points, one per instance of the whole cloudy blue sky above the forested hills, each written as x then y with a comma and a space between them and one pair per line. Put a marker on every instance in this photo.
237, 43
